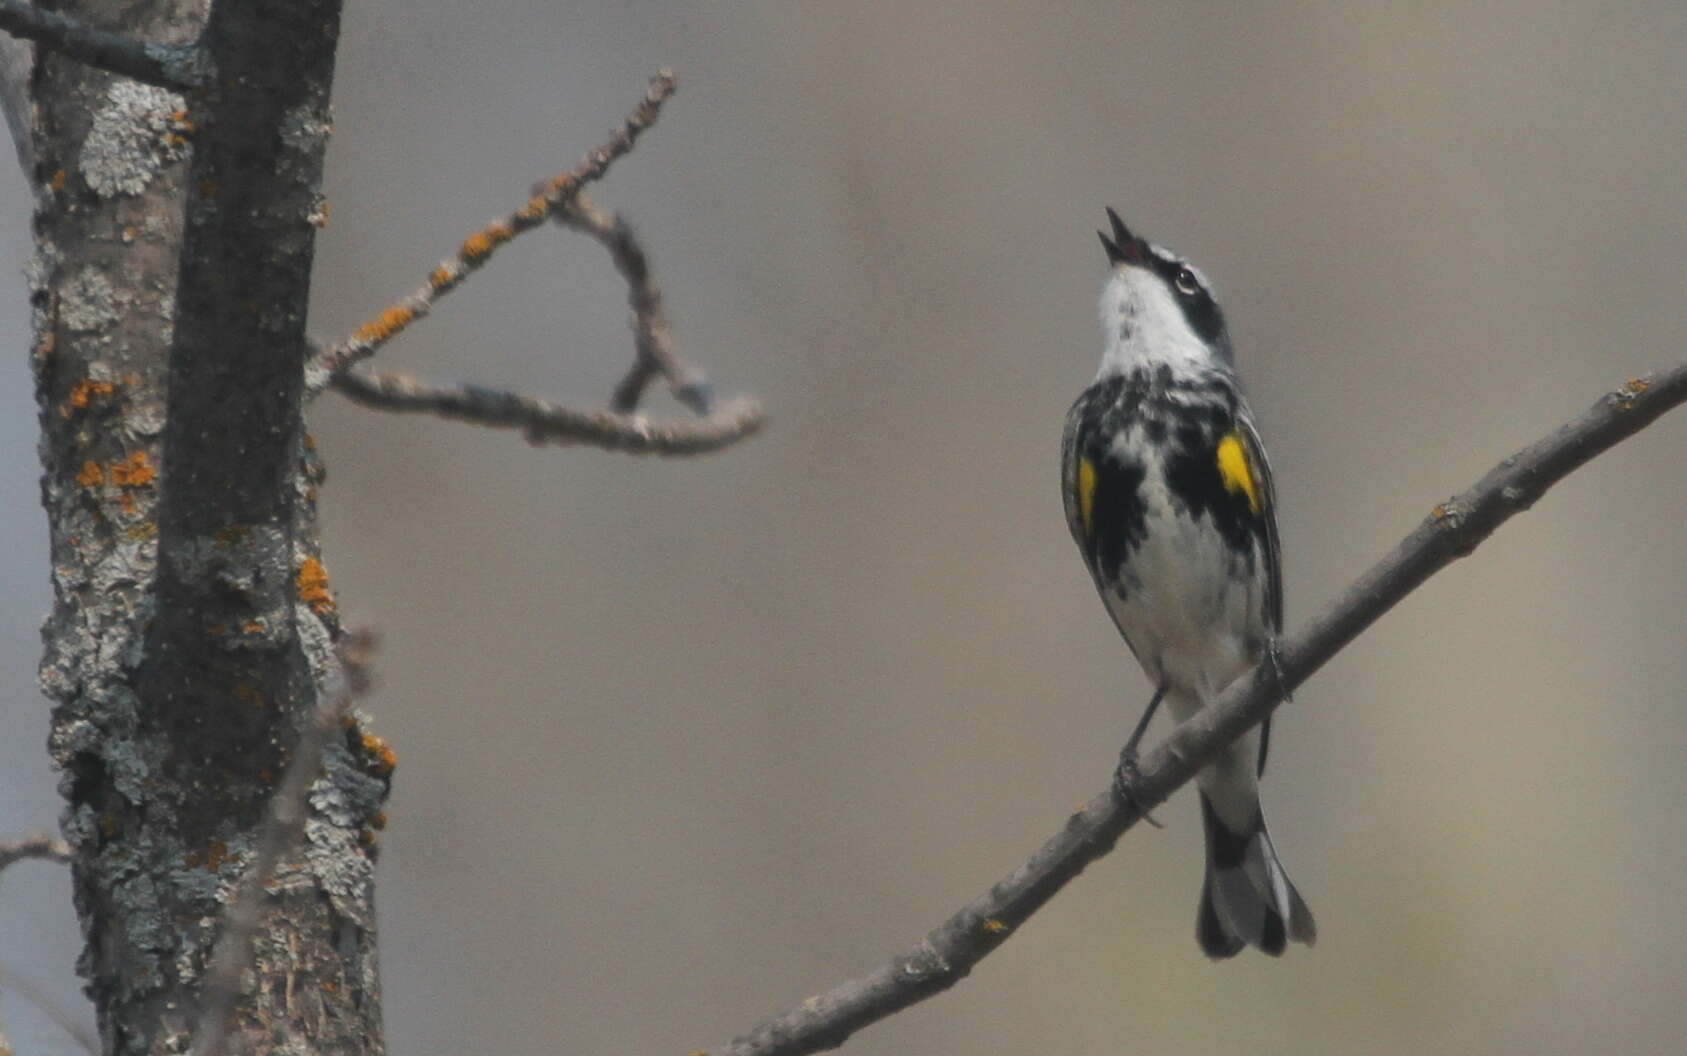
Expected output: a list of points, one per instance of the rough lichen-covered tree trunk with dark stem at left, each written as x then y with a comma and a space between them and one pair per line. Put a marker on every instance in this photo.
191, 620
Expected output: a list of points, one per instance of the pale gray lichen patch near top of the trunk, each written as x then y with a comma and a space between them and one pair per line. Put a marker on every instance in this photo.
131, 139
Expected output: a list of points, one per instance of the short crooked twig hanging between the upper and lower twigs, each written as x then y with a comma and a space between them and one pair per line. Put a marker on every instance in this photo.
652, 338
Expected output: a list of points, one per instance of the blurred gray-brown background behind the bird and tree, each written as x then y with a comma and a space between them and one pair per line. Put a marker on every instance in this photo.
682, 743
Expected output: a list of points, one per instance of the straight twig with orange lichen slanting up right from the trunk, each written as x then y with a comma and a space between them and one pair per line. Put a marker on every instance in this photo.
480, 247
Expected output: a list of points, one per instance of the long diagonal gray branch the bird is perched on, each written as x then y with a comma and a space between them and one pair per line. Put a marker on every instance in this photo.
1453, 529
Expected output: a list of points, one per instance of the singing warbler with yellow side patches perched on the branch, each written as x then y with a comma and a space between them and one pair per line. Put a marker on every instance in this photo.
1170, 500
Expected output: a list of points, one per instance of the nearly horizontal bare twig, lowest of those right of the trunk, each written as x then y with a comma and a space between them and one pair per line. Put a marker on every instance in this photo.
546, 423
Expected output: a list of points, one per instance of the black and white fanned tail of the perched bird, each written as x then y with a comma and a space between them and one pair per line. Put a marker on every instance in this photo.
1248, 898
